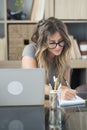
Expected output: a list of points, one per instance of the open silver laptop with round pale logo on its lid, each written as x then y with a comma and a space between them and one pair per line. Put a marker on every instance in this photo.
20, 87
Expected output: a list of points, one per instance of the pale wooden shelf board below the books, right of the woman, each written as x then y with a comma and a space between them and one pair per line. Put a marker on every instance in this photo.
78, 63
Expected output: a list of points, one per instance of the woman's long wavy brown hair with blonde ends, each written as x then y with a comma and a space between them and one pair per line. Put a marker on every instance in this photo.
44, 30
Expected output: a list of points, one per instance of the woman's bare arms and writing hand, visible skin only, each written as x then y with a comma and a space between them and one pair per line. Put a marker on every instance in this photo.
67, 93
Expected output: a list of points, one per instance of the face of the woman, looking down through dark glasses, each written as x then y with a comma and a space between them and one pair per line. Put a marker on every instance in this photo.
55, 45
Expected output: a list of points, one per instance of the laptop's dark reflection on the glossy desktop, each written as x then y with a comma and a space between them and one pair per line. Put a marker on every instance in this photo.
22, 118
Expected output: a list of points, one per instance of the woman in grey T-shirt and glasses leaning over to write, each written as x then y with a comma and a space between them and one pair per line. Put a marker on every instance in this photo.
50, 50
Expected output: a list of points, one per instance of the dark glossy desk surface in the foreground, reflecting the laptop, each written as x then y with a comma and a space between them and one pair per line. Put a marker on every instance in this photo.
36, 118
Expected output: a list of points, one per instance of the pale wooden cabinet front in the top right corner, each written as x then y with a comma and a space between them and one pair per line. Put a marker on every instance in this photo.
74, 9
